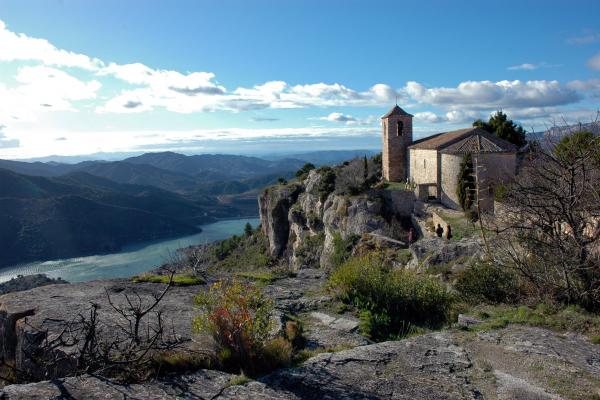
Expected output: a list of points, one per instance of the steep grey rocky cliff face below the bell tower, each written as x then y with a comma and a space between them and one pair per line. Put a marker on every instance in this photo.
301, 220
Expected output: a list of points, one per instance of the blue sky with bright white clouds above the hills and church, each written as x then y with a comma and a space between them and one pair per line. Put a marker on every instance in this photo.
264, 76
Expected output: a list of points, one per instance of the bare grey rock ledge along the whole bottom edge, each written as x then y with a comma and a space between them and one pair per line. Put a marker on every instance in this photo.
512, 363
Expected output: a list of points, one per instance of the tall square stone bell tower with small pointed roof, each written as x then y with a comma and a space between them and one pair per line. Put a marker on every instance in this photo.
397, 136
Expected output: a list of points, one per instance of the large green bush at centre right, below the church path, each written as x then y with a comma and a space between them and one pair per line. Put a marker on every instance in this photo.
390, 301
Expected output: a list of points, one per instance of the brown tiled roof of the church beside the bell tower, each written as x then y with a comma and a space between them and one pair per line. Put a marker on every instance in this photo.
468, 140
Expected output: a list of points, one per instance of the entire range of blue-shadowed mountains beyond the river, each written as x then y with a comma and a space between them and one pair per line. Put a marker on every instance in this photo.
51, 210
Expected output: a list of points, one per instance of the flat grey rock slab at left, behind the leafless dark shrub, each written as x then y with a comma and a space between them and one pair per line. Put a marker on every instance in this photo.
43, 310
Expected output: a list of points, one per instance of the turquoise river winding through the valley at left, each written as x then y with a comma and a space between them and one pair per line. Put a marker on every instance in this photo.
132, 260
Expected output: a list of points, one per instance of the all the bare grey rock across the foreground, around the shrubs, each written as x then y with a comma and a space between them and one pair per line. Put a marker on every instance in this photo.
516, 362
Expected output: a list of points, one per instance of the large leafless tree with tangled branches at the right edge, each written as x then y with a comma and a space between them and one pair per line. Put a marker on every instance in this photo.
548, 227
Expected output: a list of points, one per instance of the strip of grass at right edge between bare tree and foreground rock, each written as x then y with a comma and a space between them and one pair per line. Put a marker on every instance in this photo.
559, 318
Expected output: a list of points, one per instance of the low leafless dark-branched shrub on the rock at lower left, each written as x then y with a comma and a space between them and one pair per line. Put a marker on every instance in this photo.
87, 344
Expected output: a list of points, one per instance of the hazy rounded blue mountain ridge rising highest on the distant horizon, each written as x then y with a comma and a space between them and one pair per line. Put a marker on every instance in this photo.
216, 166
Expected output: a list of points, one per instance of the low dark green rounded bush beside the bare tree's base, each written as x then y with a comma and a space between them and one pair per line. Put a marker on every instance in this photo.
484, 282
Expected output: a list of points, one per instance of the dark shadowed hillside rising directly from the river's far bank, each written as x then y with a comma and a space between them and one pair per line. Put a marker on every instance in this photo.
77, 214
